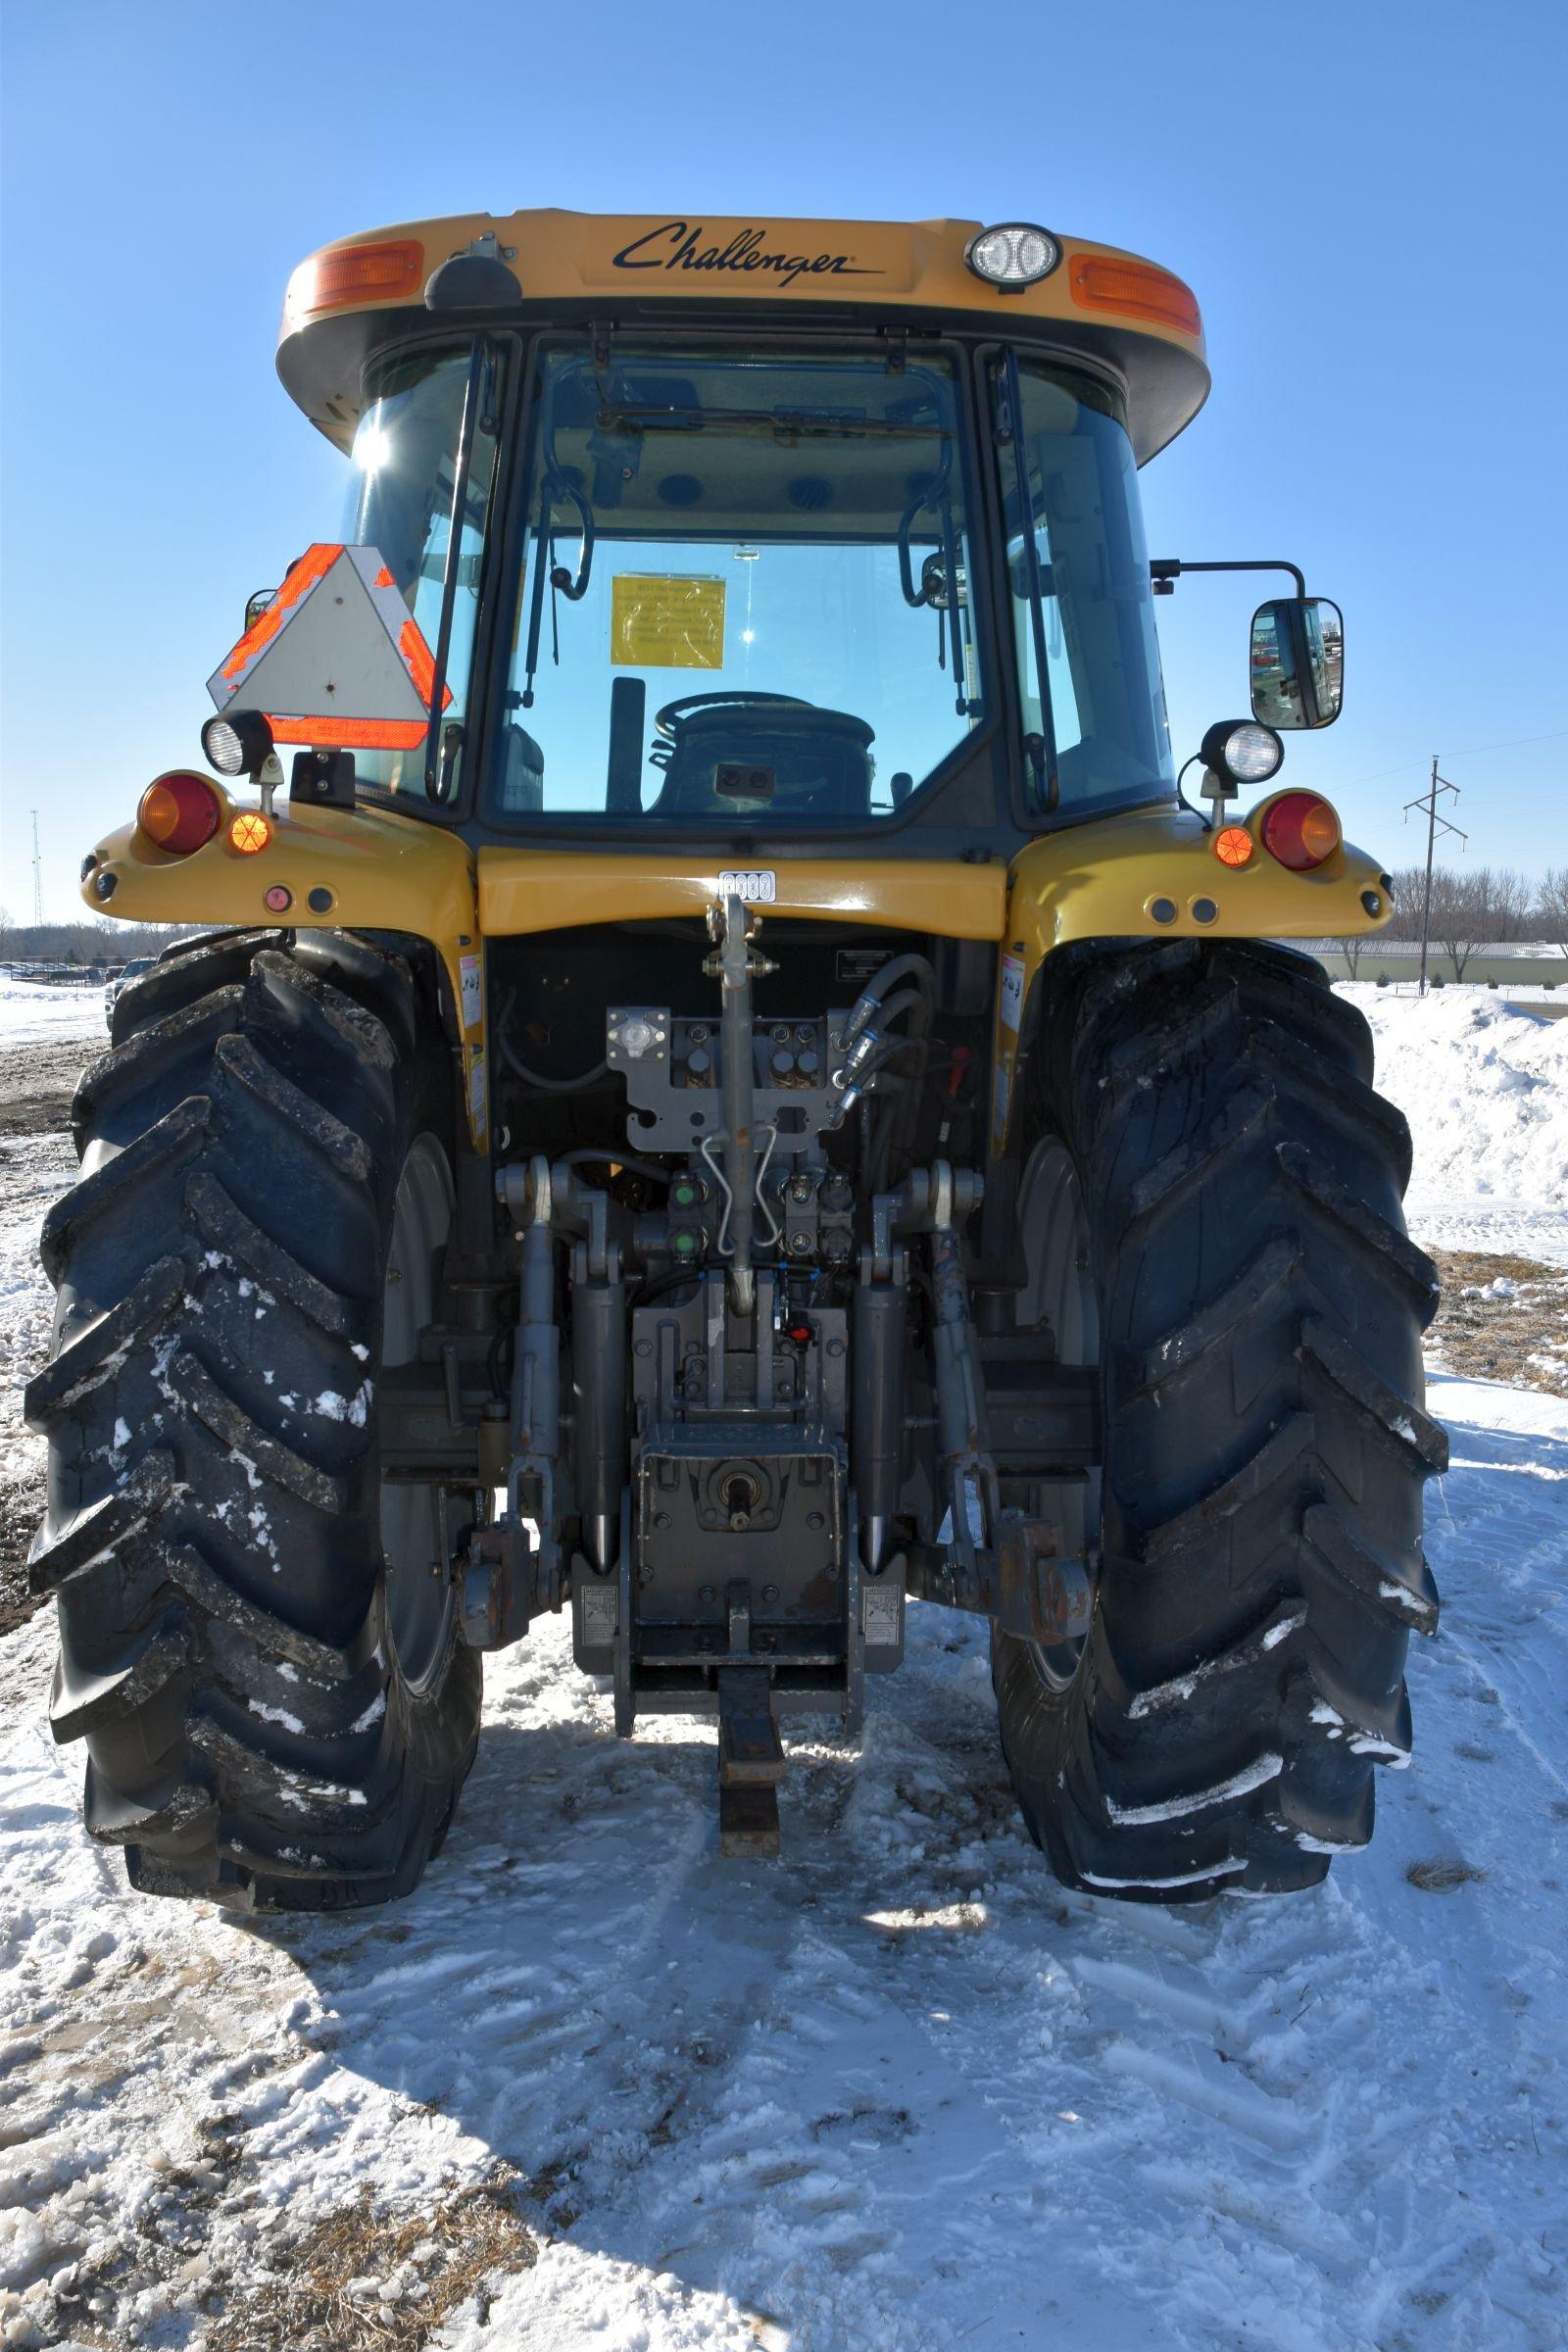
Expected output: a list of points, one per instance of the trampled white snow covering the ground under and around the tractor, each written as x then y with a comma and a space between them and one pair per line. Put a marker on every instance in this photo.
897, 2090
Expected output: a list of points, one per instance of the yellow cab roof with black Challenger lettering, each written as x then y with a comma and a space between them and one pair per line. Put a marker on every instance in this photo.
648, 269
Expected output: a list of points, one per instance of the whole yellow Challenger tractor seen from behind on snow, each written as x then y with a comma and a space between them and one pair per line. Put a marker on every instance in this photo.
728, 1088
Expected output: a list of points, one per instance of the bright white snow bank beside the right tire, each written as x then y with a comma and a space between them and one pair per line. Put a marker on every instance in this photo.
1485, 1085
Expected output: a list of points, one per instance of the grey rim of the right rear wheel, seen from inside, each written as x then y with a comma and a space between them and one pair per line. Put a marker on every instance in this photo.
1061, 1292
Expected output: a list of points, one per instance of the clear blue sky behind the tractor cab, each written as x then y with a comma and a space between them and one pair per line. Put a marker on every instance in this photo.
1367, 199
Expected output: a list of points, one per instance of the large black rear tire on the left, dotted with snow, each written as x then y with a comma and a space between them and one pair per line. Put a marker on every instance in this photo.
257, 1643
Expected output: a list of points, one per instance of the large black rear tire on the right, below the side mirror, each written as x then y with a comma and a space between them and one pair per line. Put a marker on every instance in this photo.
1212, 1215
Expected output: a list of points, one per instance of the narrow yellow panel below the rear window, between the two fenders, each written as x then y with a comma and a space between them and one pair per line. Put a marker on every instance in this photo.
549, 890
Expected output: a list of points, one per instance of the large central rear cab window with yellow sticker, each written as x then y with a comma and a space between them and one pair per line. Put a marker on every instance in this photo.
746, 587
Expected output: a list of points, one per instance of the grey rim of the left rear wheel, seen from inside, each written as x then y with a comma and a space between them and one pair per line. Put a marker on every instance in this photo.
420, 1598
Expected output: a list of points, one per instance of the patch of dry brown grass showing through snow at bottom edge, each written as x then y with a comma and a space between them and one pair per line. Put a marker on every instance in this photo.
328, 2290
